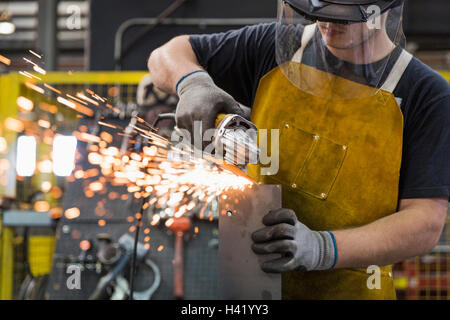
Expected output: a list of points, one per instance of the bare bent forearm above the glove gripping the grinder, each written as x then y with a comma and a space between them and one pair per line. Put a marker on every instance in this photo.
170, 62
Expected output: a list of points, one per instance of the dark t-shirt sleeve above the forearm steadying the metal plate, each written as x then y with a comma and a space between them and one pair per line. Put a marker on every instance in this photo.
425, 171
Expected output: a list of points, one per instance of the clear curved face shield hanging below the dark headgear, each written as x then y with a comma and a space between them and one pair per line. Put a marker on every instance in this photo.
344, 60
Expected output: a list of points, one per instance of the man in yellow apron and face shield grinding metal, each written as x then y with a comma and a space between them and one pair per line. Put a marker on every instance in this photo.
364, 132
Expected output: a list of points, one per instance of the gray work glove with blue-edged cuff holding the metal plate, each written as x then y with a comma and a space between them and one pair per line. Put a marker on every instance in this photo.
302, 249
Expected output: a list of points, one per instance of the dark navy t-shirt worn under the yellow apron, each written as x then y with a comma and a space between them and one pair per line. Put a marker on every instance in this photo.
238, 59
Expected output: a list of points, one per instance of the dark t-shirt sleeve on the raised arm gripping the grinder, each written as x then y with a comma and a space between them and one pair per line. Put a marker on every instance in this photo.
237, 59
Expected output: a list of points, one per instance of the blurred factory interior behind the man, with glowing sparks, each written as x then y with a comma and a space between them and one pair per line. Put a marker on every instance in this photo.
63, 199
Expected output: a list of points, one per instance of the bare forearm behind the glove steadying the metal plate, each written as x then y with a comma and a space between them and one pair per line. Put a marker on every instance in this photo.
410, 232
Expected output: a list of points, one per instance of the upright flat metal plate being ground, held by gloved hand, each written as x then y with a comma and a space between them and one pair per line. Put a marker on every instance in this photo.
241, 213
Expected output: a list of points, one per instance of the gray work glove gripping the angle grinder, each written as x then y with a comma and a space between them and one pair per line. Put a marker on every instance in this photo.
201, 100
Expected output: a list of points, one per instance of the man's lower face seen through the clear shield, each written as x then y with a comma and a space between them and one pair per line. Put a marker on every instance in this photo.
341, 36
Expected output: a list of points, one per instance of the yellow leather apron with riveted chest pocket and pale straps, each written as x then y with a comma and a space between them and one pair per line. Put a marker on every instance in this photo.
339, 165
